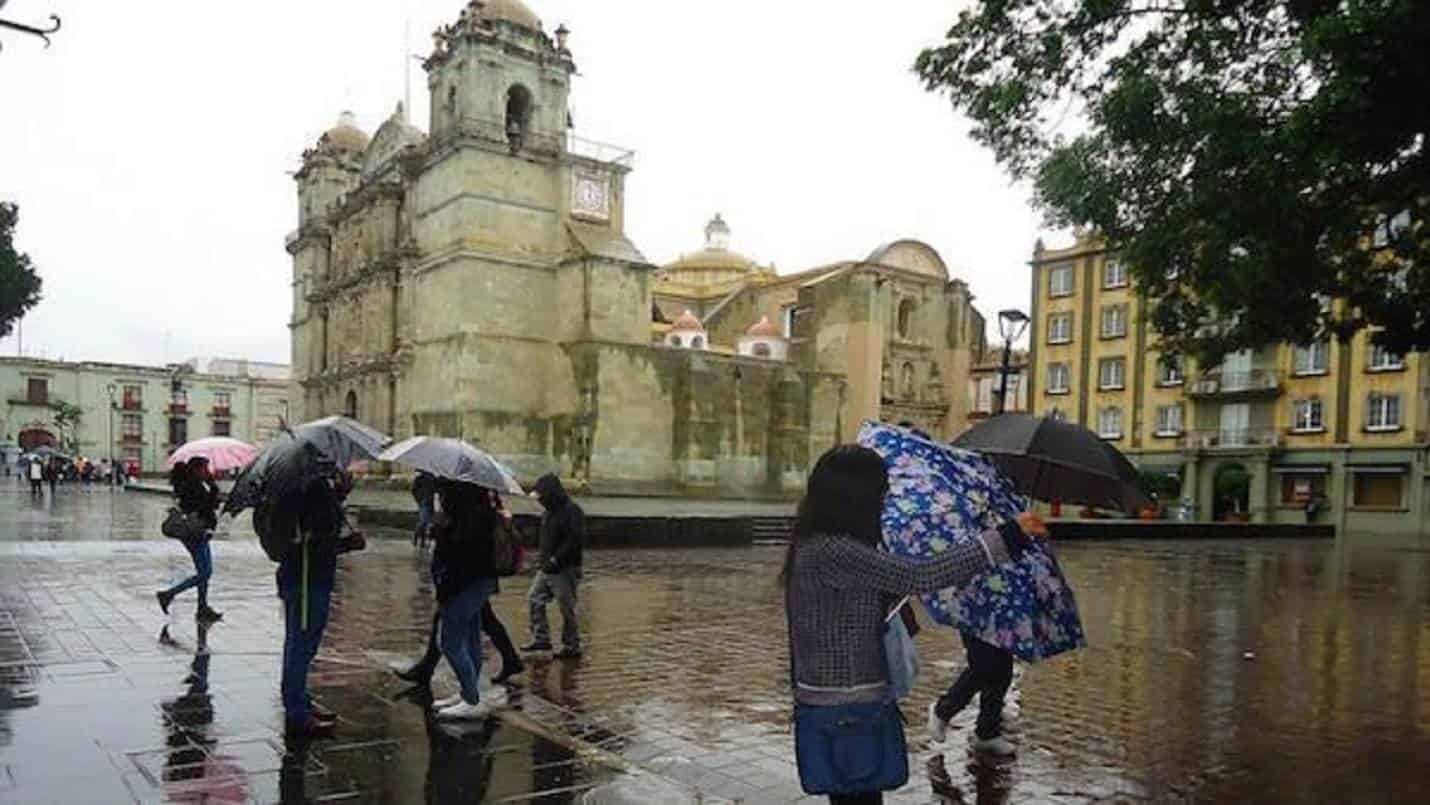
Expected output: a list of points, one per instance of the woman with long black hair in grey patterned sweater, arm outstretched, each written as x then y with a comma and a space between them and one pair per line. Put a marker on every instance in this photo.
840, 590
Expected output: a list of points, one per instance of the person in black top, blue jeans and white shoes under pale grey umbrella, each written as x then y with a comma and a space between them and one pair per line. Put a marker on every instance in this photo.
465, 577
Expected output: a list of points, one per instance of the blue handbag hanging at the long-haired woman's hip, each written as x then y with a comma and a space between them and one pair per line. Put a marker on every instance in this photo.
850, 749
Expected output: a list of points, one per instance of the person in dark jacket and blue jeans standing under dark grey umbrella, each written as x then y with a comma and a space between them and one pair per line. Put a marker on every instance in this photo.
305, 586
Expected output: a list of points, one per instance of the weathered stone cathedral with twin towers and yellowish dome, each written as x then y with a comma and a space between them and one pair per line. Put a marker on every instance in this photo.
475, 281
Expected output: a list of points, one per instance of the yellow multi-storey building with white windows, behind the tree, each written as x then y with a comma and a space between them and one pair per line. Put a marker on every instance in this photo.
1261, 435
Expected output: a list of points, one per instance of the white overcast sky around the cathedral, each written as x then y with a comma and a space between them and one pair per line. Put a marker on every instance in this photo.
151, 148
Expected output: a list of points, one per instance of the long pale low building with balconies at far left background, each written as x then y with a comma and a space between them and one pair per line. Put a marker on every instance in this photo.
138, 414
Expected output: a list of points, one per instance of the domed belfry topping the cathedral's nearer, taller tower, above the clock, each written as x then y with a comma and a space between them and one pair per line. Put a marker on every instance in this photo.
498, 78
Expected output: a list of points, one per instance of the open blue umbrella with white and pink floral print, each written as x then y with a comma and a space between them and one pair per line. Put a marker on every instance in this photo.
942, 497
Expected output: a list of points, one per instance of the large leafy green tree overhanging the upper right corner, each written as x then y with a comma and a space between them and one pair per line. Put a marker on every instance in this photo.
1249, 158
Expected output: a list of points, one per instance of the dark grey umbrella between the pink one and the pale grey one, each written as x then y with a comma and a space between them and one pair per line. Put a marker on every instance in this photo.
297, 457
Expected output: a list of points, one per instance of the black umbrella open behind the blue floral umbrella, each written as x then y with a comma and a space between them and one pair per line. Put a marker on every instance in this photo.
1057, 461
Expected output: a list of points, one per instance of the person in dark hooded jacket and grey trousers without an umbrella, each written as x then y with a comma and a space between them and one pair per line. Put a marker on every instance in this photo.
563, 538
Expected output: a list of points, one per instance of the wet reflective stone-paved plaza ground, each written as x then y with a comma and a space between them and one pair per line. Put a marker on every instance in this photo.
1288, 673
